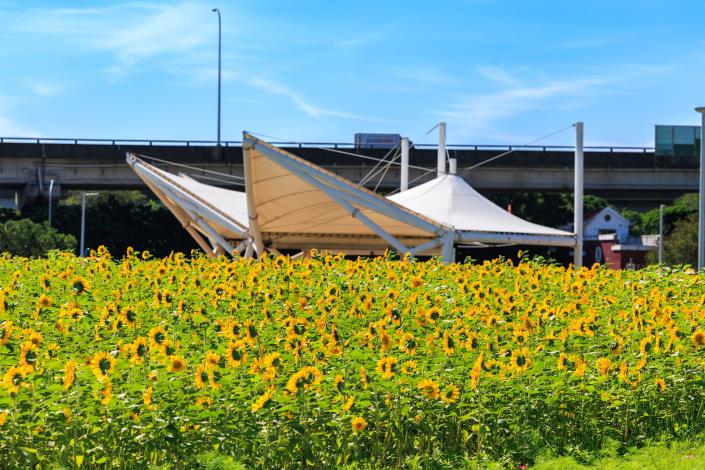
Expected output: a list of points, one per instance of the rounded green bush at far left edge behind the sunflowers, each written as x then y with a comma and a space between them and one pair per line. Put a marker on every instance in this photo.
26, 238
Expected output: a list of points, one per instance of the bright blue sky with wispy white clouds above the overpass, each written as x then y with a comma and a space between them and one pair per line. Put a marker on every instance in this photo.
498, 71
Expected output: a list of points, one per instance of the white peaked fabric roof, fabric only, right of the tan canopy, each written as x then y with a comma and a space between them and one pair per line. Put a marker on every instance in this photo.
451, 201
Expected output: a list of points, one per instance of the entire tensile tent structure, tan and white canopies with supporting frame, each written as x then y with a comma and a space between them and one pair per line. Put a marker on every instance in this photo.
290, 203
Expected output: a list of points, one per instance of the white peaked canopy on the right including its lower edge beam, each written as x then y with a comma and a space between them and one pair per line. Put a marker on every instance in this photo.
451, 201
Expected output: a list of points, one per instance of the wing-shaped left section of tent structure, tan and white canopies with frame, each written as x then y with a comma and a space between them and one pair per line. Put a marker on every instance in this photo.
290, 203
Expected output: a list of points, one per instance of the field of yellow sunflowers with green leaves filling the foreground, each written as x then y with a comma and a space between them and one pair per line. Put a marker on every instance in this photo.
329, 362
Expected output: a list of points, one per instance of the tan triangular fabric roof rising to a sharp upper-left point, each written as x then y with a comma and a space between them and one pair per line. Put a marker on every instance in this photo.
291, 195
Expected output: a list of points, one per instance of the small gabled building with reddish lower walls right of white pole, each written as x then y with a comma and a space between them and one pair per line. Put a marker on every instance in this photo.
606, 240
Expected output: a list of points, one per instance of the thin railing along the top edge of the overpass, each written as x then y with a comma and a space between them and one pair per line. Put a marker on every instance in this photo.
334, 145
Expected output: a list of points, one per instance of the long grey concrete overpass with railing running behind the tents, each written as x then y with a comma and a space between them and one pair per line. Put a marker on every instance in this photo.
630, 176
